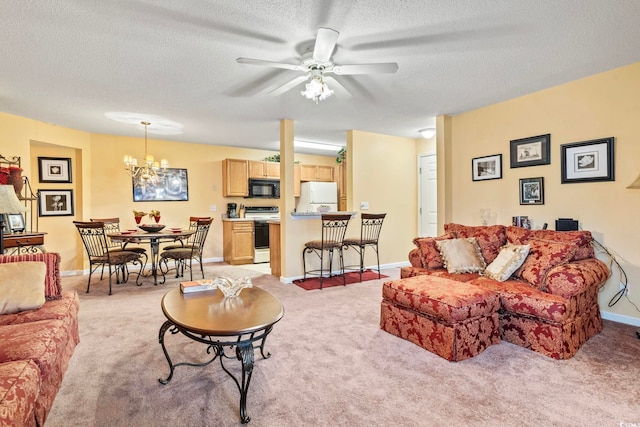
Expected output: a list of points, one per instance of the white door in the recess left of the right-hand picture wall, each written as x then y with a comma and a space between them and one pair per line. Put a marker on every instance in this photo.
428, 196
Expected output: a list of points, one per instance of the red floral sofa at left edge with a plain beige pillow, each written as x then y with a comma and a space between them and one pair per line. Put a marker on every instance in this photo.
36, 342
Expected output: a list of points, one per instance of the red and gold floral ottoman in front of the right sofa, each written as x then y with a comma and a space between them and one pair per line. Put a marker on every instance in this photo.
452, 319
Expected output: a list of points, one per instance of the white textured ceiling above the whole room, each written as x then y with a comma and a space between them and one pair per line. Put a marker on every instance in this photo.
68, 62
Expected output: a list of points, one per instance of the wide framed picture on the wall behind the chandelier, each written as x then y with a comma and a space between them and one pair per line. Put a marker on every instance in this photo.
171, 185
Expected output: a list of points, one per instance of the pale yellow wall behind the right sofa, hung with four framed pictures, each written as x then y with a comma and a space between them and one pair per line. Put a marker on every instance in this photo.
599, 106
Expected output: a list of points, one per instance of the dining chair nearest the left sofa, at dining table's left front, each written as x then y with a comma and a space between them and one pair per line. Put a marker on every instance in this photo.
100, 254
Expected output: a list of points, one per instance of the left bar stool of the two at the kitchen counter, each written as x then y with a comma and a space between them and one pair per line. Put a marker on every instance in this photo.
334, 227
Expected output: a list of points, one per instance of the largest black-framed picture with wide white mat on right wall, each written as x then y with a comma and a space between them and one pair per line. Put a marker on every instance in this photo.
587, 161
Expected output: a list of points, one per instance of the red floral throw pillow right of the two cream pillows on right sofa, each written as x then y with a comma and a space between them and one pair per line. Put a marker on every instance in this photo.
543, 256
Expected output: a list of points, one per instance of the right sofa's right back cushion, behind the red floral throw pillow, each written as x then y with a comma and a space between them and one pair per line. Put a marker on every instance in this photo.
581, 239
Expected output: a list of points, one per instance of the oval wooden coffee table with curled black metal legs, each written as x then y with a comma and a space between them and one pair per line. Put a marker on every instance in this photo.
210, 318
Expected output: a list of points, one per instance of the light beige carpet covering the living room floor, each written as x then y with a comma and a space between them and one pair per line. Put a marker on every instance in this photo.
331, 365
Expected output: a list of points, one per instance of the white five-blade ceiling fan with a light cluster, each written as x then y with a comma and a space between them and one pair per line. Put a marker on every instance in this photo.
316, 64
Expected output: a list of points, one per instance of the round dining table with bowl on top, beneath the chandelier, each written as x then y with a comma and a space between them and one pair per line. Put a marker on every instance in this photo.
154, 238
